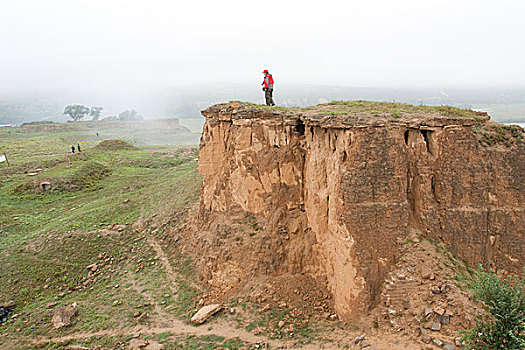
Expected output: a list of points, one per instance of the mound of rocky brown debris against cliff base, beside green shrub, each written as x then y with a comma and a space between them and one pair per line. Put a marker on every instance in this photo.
438, 308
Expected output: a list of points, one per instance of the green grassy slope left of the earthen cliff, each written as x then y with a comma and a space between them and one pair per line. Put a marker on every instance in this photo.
47, 239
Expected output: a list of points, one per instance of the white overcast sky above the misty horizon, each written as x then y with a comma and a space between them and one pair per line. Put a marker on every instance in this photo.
153, 43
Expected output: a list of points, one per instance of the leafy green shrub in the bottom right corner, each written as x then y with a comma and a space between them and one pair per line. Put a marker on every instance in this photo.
504, 325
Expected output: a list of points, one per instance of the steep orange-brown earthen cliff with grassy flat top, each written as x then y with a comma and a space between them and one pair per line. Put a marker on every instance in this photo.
331, 190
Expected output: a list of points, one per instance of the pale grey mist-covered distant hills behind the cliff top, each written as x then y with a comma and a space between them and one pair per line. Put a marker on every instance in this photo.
505, 104
